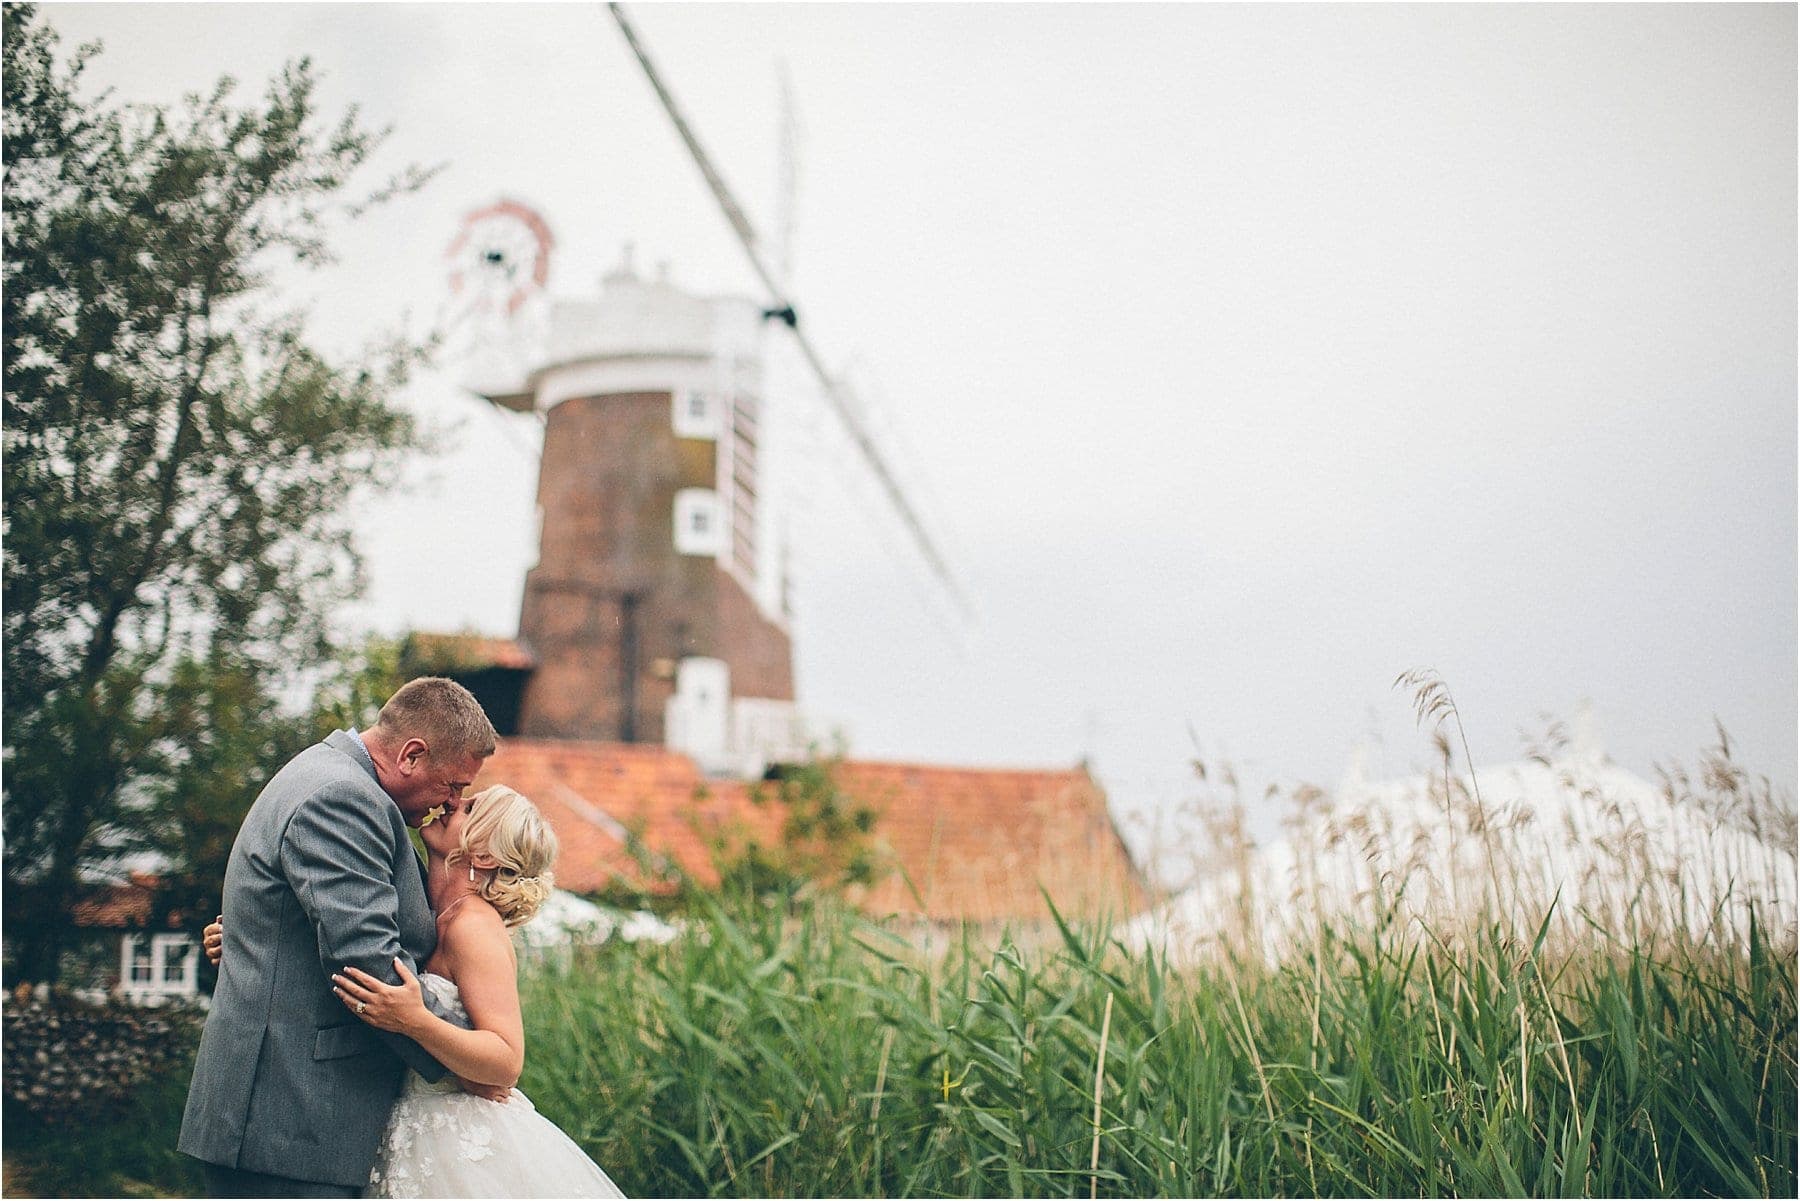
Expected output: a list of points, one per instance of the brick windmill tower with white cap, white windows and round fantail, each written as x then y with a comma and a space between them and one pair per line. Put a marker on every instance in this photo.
658, 608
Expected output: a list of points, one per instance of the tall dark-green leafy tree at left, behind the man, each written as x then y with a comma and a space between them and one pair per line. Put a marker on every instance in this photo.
177, 458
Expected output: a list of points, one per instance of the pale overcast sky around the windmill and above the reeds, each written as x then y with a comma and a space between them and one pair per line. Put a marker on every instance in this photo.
1243, 357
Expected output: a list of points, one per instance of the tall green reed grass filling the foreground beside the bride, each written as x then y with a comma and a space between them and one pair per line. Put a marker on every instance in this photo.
811, 1052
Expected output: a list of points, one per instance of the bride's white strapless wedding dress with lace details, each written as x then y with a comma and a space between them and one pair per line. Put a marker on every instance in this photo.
442, 1142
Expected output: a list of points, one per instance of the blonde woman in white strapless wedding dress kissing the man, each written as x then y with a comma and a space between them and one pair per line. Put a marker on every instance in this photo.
489, 871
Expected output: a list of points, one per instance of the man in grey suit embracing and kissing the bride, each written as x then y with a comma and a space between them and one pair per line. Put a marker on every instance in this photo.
291, 1090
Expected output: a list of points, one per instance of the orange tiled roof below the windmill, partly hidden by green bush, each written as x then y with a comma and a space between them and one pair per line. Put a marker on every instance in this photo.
975, 844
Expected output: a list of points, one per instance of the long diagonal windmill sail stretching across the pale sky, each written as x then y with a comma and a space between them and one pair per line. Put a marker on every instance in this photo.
782, 307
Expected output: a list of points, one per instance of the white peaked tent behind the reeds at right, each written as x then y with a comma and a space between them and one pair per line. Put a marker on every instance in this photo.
1614, 853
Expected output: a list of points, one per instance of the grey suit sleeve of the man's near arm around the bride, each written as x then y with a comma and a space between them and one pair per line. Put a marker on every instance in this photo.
337, 860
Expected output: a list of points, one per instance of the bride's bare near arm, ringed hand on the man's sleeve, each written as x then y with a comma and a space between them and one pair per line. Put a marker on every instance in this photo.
481, 961
